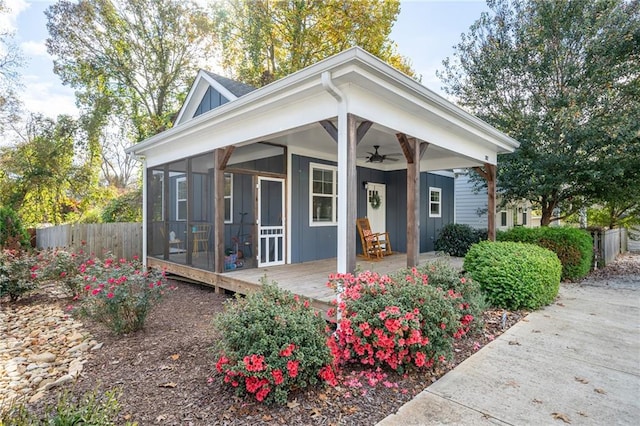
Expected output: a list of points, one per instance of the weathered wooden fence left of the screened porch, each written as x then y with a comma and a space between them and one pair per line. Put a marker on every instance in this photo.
123, 240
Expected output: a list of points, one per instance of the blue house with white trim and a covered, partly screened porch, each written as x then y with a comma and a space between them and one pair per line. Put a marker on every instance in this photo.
278, 175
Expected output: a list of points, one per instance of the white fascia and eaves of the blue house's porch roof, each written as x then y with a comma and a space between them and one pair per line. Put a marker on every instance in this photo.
373, 91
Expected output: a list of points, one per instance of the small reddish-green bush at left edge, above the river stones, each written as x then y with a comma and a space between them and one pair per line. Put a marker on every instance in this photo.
17, 274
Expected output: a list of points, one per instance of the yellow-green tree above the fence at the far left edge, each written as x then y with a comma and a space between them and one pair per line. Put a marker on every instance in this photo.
44, 176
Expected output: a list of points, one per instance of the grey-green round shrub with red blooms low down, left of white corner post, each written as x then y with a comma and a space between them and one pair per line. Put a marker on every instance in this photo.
271, 342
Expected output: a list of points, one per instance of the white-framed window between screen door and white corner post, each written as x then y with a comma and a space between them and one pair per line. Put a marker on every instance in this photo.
323, 199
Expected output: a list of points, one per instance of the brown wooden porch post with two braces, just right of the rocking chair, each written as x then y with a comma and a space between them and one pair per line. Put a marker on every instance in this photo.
413, 152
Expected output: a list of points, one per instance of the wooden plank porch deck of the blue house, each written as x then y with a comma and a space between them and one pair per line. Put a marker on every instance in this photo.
308, 279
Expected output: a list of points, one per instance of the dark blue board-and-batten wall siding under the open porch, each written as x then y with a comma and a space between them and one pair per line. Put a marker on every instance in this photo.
319, 242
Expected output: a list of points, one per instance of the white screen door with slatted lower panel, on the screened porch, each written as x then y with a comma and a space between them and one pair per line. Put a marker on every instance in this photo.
271, 221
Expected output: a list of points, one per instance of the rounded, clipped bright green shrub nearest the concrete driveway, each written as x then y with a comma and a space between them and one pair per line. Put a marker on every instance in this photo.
514, 275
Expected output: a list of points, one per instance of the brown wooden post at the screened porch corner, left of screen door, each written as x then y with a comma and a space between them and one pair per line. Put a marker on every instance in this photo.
220, 158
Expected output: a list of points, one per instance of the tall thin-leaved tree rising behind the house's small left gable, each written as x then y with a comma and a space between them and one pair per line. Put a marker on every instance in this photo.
131, 63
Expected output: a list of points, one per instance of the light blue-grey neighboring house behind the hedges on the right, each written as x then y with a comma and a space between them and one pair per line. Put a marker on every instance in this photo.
471, 207
